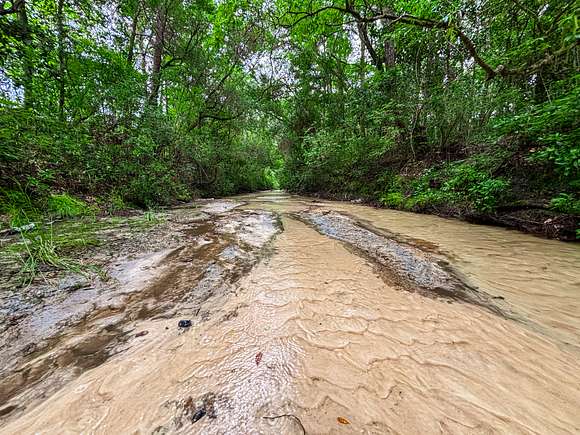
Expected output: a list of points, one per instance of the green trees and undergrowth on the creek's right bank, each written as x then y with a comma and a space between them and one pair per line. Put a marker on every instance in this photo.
418, 124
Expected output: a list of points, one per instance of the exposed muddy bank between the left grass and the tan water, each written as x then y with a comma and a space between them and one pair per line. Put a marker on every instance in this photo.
63, 325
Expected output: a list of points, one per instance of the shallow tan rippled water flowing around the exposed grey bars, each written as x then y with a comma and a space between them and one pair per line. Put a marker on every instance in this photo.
313, 337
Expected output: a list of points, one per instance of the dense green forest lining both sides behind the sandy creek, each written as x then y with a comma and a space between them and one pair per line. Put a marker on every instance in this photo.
452, 107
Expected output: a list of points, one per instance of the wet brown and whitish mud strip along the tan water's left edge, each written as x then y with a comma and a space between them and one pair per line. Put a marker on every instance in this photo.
91, 325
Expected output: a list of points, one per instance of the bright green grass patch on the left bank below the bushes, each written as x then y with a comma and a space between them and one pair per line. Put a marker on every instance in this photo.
54, 233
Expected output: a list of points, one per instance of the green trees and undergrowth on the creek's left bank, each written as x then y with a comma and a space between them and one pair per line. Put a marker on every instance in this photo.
124, 104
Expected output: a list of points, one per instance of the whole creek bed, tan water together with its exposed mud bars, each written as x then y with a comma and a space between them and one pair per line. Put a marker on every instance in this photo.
307, 317
